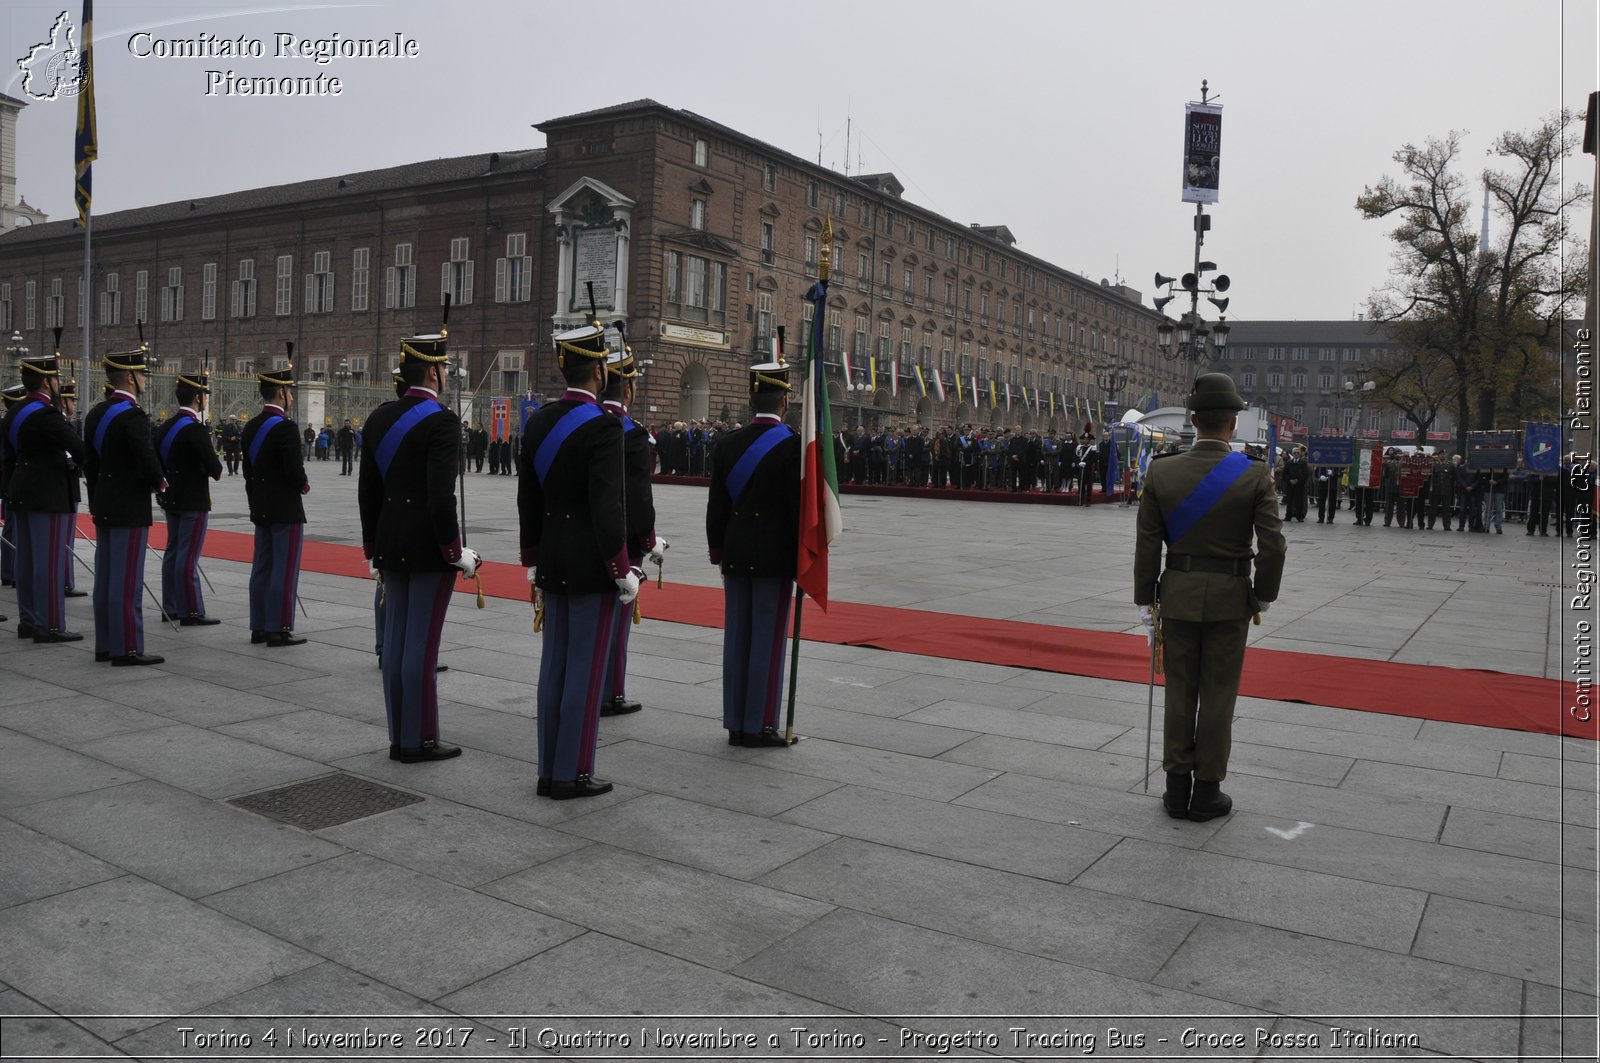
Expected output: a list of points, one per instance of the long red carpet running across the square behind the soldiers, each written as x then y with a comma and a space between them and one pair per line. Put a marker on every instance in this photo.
1455, 696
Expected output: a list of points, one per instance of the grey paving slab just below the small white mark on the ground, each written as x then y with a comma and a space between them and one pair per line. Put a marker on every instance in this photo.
1305, 902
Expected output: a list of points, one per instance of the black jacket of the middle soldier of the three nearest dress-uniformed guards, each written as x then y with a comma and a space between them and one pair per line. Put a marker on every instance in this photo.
572, 524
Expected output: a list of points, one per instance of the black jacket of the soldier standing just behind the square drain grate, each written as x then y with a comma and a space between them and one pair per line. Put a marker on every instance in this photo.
409, 518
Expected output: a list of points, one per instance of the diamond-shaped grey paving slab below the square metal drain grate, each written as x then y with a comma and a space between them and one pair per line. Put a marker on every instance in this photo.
370, 917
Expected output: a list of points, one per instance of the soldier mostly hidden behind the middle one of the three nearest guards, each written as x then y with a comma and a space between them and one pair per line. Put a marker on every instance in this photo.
641, 507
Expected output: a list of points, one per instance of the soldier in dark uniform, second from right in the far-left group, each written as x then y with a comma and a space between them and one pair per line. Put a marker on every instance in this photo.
188, 460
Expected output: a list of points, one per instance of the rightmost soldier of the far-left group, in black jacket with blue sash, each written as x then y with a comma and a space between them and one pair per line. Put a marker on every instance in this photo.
274, 483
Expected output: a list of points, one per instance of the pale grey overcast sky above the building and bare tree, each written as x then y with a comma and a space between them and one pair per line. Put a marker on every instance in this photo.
1060, 119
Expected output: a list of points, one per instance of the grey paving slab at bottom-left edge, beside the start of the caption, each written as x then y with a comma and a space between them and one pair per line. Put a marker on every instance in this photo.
135, 950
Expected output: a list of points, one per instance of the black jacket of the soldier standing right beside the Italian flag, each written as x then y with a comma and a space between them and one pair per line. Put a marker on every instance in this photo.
758, 536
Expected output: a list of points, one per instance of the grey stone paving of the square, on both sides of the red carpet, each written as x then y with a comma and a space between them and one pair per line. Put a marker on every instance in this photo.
953, 843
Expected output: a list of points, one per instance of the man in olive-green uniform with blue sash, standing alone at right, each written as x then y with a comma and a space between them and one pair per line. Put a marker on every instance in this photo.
1206, 507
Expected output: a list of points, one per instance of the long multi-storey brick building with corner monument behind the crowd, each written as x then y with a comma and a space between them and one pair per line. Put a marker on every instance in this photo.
702, 238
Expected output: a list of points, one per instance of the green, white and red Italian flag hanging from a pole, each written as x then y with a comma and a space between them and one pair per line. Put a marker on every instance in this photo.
820, 515
